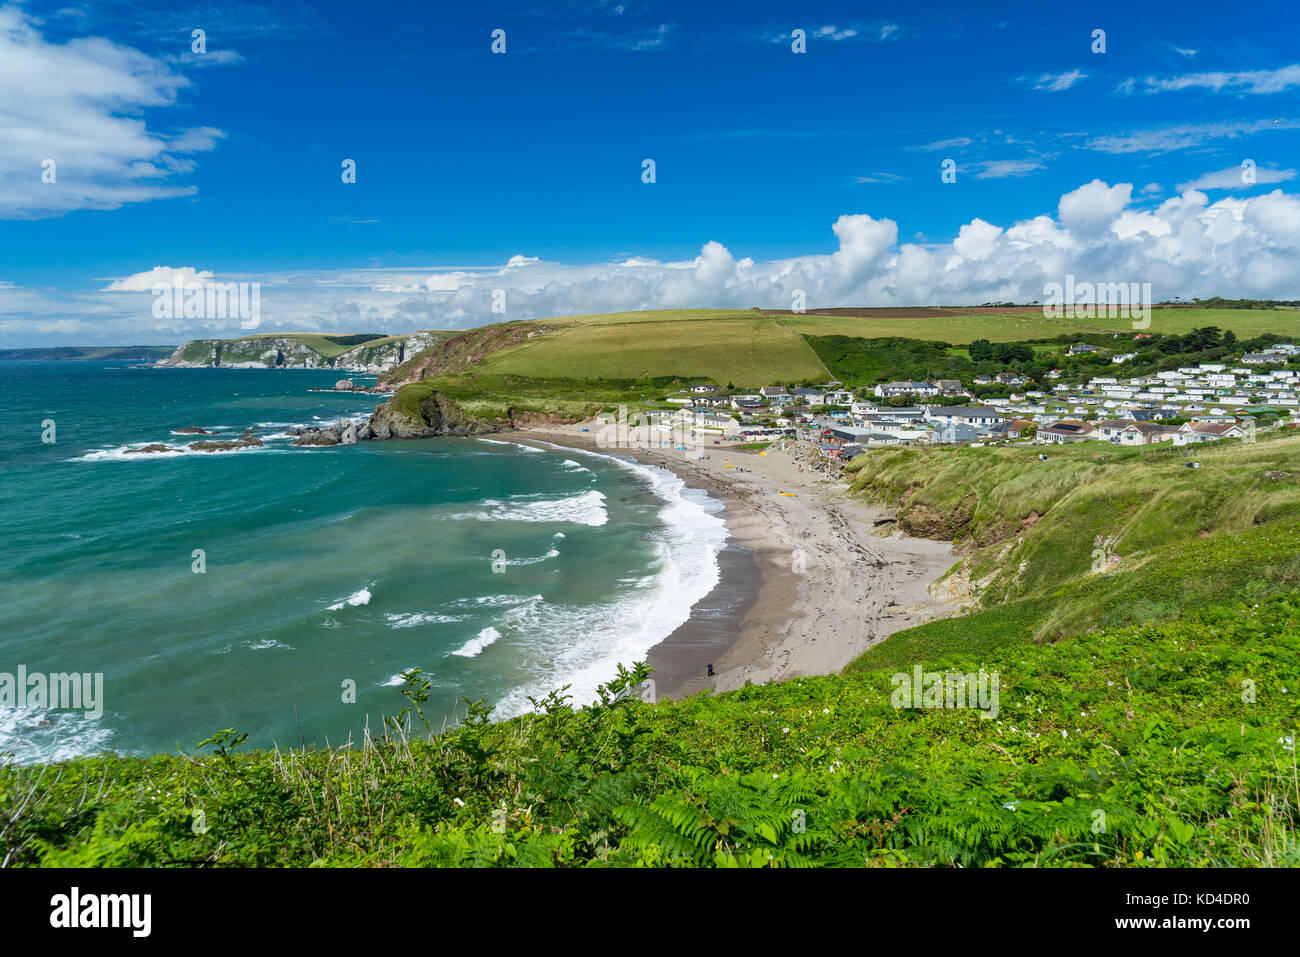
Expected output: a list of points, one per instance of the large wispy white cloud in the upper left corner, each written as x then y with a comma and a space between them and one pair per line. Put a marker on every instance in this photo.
71, 128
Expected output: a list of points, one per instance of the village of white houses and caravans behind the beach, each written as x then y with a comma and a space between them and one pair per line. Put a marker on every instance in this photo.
1185, 406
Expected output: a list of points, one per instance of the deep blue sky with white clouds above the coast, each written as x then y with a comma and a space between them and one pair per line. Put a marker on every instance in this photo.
799, 151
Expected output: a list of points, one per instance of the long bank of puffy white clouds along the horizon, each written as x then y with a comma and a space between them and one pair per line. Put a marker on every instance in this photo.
1185, 246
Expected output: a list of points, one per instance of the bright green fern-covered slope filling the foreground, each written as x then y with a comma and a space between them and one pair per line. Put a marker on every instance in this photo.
1143, 747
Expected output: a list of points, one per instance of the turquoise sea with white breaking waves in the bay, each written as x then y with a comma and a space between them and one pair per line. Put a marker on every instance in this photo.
504, 570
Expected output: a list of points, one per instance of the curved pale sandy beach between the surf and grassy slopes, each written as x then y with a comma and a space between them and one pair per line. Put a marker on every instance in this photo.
811, 579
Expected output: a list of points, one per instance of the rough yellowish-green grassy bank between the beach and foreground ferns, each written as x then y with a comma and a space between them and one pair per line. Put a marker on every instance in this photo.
1094, 536
